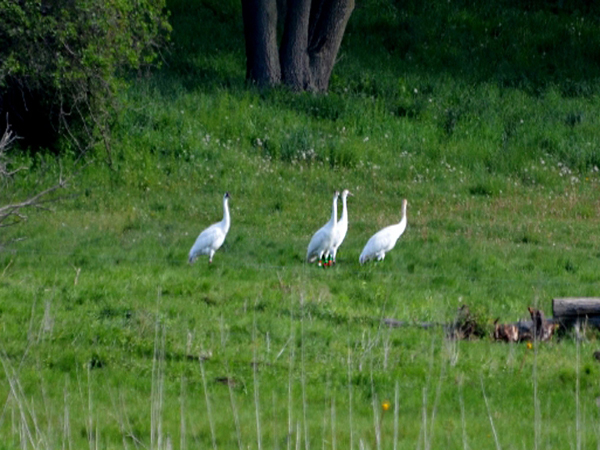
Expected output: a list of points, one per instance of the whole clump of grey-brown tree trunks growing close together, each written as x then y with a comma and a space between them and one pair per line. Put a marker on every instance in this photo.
311, 38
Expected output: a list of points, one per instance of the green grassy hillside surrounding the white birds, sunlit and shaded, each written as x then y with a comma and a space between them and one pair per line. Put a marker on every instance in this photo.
486, 120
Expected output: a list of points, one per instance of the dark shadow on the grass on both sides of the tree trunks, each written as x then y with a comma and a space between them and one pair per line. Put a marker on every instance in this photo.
526, 45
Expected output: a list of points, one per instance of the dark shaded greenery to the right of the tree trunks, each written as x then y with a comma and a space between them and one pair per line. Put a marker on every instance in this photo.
527, 45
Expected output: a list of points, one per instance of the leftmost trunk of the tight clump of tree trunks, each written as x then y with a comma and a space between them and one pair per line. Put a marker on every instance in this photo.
260, 33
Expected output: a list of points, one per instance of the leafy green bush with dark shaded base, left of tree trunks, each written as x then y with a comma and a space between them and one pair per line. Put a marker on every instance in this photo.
62, 62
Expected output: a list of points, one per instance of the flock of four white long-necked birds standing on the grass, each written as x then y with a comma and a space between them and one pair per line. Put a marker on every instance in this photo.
324, 243
